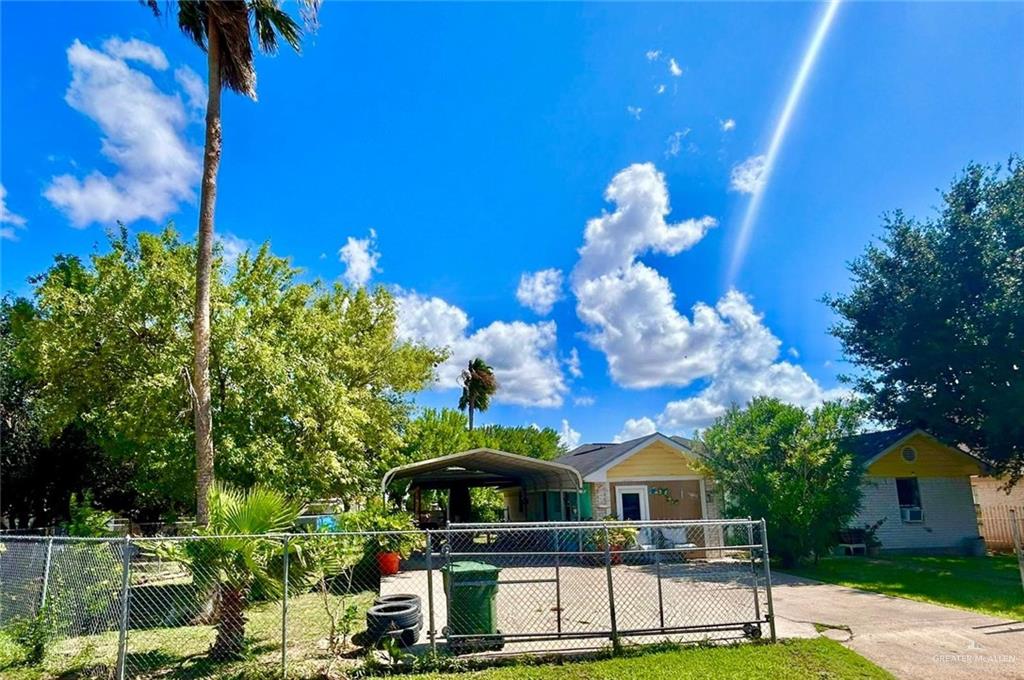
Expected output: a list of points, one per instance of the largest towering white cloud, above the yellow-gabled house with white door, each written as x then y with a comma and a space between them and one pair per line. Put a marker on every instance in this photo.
631, 316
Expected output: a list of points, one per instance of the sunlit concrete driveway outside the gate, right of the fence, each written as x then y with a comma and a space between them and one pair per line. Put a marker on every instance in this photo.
910, 640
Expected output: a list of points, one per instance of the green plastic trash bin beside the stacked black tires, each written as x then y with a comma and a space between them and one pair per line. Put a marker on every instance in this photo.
472, 589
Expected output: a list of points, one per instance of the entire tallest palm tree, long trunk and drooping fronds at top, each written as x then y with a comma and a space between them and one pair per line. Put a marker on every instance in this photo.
224, 29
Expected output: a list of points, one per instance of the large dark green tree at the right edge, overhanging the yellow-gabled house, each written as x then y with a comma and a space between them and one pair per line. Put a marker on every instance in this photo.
935, 320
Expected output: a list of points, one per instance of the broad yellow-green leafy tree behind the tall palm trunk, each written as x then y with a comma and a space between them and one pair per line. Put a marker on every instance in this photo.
311, 382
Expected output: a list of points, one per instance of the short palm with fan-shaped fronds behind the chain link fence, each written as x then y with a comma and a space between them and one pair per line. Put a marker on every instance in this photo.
232, 558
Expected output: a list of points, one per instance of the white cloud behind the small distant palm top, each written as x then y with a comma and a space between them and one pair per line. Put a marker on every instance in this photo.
524, 356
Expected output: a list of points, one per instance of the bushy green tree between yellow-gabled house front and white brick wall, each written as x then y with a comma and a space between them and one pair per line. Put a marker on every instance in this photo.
788, 465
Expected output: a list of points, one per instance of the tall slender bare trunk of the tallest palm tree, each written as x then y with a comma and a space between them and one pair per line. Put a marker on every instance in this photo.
203, 413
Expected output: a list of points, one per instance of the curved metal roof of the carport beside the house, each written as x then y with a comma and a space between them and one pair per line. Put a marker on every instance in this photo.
487, 467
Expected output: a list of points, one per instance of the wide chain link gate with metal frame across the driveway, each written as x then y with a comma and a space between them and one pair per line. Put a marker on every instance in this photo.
575, 586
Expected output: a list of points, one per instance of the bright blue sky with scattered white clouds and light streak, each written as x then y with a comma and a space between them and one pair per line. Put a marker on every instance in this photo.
463, 147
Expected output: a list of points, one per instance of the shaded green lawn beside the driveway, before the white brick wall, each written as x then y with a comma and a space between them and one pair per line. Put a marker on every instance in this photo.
988, 585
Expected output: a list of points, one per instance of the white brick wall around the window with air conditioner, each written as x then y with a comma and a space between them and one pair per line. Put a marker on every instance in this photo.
949, 508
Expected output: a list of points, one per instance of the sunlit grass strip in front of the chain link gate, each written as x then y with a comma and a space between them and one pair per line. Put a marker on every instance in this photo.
819, 660
